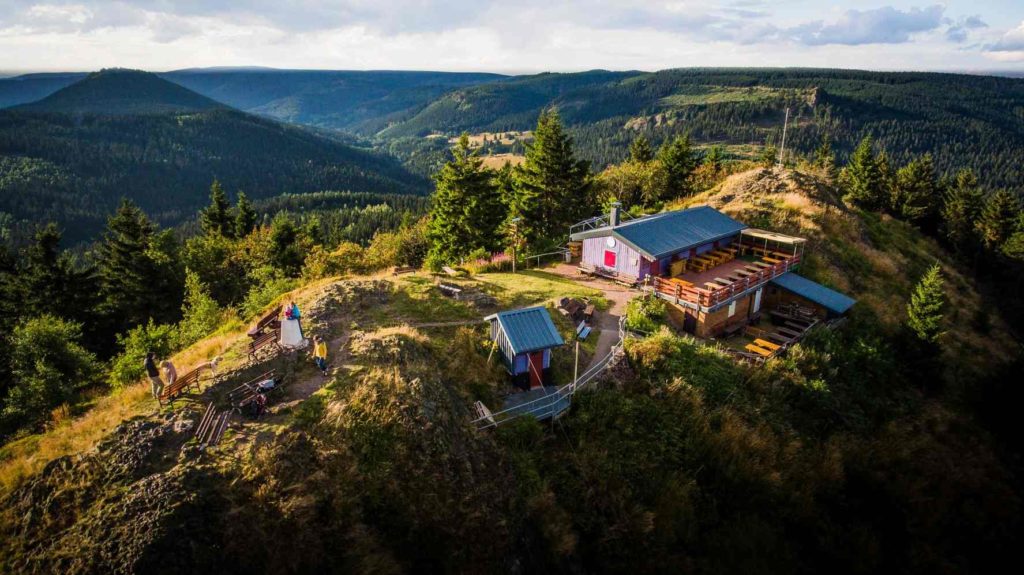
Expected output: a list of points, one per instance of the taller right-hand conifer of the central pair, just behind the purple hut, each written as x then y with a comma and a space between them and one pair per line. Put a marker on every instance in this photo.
552, 187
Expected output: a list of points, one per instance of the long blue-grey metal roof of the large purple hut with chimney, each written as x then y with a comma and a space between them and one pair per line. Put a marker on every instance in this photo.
669, 233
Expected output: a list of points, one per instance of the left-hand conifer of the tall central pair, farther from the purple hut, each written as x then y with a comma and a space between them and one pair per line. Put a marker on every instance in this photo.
467, 207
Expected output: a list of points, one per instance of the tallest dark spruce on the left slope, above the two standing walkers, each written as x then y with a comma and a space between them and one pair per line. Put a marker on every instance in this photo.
139, 271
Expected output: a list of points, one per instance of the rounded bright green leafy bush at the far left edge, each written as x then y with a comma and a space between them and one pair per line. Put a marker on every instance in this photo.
49, 367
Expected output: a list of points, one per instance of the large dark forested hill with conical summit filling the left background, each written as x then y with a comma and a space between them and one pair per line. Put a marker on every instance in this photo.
74, 168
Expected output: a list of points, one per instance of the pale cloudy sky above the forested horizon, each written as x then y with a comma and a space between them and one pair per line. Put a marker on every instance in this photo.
510, 36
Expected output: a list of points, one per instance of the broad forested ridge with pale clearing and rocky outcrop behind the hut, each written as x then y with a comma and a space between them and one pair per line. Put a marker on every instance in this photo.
961, 120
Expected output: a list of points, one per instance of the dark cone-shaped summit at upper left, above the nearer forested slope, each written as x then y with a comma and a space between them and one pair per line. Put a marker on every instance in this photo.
120, 92
